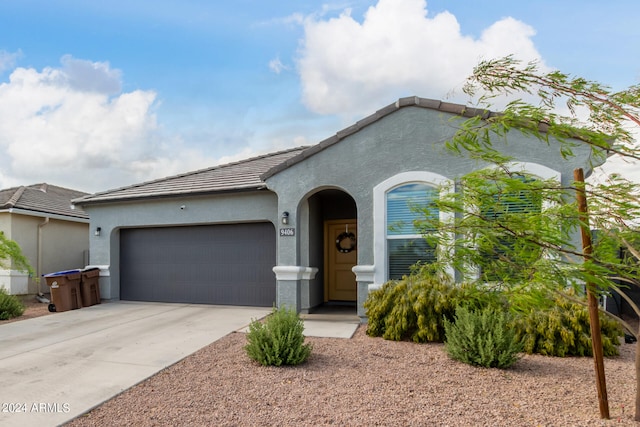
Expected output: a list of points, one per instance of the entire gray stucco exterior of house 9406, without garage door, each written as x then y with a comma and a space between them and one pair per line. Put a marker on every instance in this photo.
344, 177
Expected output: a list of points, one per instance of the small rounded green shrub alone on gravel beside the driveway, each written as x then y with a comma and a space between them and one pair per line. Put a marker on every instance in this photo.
279, 340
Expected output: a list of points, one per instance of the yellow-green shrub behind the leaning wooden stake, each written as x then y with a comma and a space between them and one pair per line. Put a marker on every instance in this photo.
564, 330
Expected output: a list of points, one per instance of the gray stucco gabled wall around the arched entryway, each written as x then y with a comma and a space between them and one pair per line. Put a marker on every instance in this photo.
410, 139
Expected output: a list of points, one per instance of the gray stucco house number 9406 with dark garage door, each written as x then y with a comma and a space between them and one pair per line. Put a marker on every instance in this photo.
299, 227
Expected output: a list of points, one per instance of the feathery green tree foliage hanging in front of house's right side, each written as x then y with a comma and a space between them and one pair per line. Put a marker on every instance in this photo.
534, 251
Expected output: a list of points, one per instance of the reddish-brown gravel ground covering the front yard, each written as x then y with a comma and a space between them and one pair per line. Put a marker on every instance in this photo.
368, 381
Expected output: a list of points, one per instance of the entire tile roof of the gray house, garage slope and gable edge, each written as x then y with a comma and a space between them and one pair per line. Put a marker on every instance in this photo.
250, 174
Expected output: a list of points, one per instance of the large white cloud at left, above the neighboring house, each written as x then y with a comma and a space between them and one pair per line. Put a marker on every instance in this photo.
72, 126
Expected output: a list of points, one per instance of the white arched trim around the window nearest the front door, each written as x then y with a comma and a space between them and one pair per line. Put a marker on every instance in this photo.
380, 212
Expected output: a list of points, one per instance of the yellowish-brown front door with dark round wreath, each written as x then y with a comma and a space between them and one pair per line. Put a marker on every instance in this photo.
341, 256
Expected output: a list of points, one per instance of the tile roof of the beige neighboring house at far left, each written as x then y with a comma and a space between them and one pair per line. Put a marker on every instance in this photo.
43, 199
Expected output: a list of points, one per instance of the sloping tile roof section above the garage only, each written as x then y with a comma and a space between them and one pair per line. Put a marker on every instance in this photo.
238, 176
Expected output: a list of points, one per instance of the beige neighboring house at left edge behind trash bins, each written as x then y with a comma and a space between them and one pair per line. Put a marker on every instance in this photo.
51, 233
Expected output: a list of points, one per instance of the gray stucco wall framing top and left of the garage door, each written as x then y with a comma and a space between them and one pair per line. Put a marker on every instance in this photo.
111, 218
